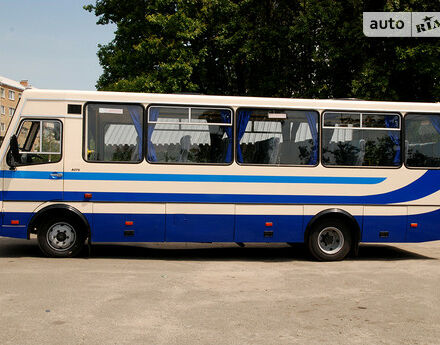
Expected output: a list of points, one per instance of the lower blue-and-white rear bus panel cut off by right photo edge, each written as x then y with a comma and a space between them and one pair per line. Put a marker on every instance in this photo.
423, 224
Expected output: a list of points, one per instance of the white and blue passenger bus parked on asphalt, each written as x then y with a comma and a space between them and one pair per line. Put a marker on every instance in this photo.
132, 167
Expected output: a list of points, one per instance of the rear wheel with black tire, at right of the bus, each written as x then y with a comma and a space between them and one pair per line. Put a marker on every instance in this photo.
330, 240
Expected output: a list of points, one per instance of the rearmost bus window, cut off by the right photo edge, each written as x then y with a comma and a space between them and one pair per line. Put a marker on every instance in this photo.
422, 134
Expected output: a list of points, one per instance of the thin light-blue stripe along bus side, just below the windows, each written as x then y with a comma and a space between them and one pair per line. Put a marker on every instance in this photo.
91, 176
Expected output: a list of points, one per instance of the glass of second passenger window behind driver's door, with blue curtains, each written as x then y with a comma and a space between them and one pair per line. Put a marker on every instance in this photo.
189, 135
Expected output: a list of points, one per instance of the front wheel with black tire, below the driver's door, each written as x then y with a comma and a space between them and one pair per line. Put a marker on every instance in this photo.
61, 237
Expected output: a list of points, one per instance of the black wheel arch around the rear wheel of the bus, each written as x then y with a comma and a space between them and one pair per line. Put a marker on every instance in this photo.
339, 214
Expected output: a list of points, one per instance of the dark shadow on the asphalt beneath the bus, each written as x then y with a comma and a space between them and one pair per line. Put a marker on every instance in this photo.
209, 252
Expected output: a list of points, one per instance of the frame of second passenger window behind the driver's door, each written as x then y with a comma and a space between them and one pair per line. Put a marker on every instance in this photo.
164, 105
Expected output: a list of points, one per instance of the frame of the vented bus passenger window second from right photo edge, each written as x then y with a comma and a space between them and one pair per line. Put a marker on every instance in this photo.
401, 129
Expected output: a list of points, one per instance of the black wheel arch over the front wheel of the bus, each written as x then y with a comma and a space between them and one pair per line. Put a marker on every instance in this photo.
56, 209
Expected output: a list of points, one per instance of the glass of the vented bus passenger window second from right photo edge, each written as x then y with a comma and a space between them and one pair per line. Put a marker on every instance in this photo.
361, 139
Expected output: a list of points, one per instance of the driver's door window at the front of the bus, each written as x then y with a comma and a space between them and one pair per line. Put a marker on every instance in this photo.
39, 142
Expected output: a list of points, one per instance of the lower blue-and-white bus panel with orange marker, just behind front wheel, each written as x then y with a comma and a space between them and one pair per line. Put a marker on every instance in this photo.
128, 222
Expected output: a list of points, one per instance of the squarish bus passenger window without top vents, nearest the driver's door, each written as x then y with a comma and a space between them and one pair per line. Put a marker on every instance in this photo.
114, 133
